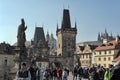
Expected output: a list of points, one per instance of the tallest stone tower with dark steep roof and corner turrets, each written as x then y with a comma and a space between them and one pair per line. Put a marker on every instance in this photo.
66, 38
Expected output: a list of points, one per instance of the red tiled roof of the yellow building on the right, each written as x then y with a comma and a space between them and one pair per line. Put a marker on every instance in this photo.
109, 45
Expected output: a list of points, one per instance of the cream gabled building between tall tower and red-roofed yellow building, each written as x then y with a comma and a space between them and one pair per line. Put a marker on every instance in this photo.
85, 54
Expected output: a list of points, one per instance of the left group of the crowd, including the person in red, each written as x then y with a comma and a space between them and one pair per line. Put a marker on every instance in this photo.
35, 73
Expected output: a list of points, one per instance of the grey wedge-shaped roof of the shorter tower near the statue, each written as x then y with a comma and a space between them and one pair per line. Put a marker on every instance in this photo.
39, 35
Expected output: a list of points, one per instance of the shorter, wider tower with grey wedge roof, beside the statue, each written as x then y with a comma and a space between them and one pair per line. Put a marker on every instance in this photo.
40, 46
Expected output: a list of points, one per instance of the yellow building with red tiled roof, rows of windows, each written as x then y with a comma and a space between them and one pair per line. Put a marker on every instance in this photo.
105, 53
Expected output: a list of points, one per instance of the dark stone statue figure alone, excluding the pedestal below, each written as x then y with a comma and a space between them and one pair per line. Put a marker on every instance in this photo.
21, 37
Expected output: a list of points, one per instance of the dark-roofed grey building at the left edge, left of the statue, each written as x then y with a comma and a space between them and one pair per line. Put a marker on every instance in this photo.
7, 55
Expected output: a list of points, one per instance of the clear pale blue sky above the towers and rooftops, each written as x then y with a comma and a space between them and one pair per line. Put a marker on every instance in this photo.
92, 17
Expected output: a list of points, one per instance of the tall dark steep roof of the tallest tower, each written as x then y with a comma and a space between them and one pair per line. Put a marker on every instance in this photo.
66, 19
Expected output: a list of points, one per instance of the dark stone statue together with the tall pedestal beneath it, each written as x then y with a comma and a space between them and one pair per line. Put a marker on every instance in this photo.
21, 39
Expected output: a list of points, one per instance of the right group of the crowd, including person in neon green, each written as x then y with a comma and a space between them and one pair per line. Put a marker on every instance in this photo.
97, 72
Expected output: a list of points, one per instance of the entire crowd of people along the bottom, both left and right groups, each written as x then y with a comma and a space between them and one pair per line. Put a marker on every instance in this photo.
90, 73
